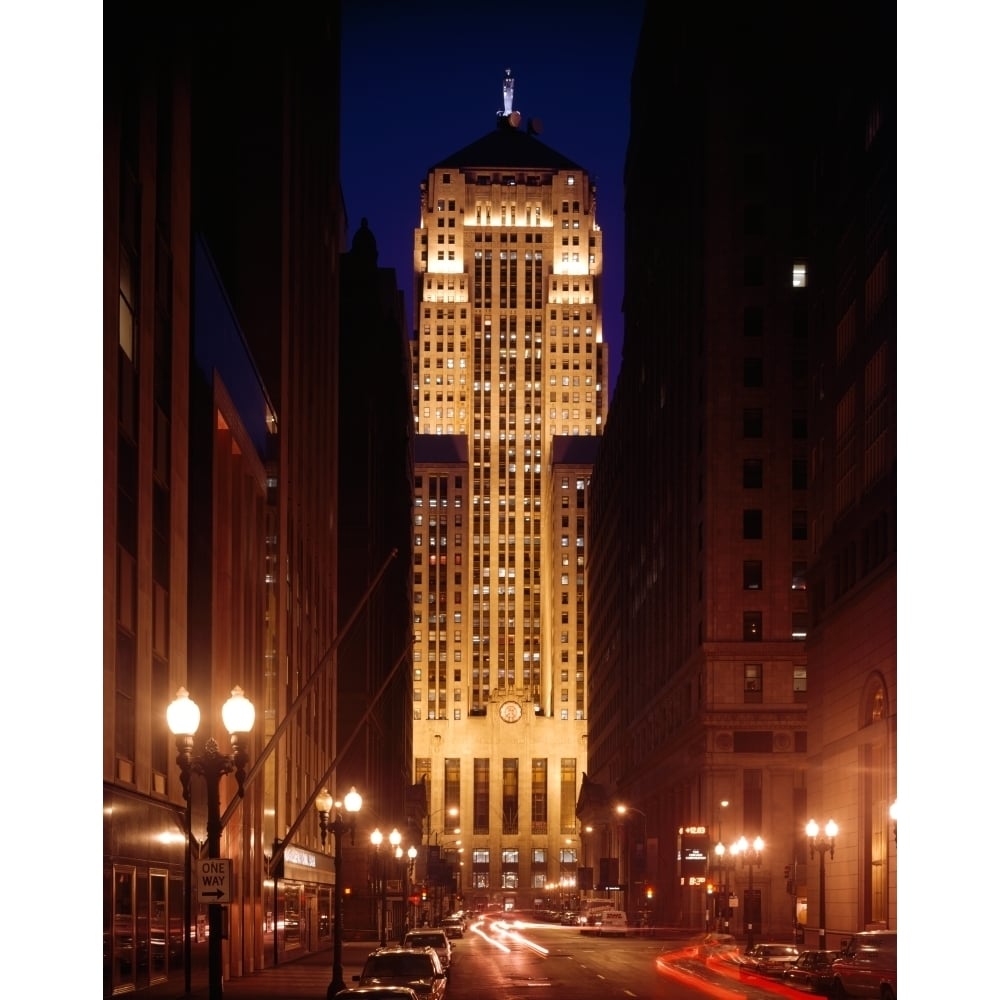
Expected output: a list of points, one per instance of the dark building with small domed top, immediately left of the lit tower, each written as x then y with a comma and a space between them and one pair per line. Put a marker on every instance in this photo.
375, 507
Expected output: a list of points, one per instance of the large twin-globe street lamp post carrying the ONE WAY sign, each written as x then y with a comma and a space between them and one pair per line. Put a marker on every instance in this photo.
183, 717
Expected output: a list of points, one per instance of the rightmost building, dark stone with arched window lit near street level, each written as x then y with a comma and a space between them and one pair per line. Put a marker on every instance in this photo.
853, 694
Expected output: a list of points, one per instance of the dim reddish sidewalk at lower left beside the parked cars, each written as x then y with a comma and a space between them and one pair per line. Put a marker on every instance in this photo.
306, 978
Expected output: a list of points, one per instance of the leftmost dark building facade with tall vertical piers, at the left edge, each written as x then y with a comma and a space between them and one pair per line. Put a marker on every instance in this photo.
147, 358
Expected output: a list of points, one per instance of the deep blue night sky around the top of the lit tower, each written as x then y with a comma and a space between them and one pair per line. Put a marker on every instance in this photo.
422, 80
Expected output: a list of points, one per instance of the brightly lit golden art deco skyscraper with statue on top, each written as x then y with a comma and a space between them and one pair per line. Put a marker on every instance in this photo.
508, 401
